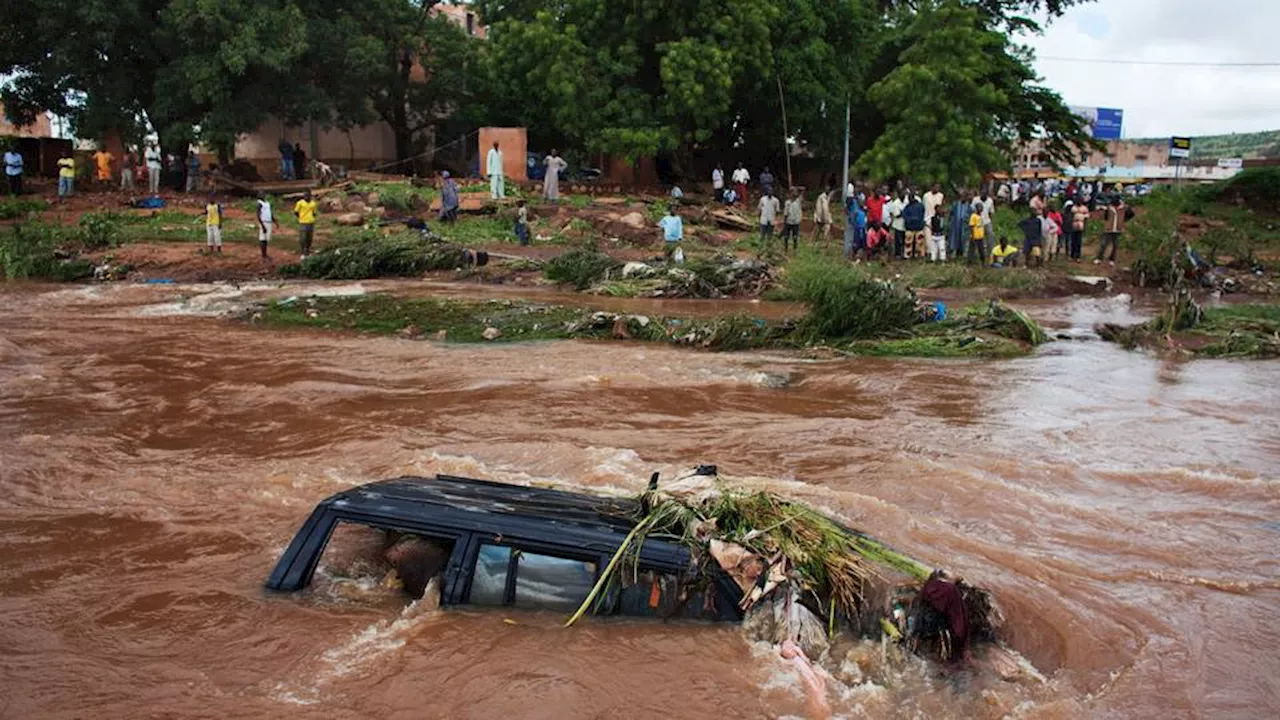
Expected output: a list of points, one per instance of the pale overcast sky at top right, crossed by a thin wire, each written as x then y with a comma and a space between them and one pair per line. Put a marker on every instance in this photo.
1169, 101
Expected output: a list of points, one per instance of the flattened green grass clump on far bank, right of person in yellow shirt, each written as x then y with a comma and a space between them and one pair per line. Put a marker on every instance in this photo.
376, 256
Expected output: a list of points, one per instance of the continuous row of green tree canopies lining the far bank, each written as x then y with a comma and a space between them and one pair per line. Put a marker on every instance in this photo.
940, 90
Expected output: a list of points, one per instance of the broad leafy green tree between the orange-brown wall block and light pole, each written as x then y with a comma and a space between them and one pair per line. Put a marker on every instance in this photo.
675, 76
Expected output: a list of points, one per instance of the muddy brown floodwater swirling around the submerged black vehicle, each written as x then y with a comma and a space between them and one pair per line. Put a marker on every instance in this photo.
154, 464
